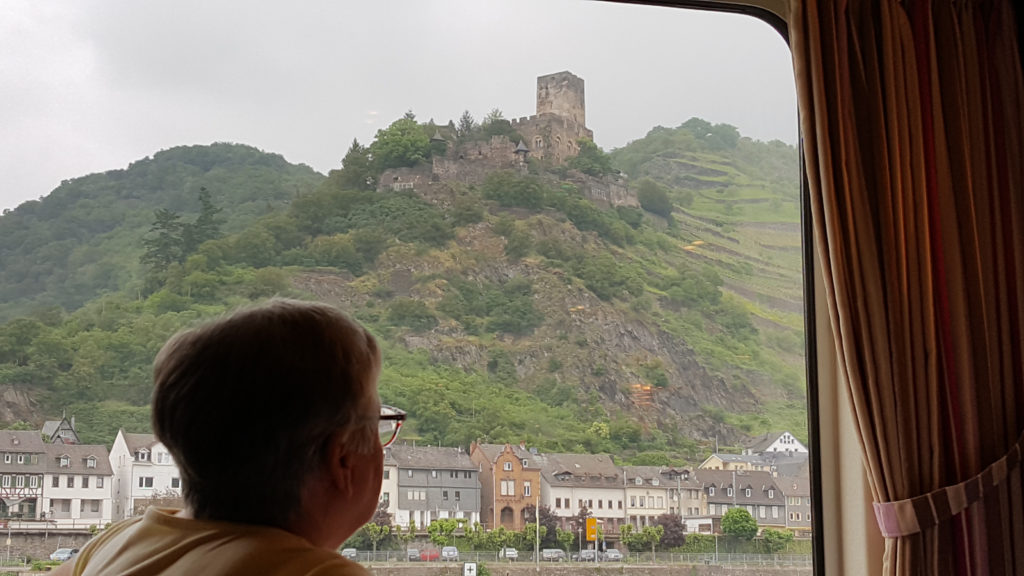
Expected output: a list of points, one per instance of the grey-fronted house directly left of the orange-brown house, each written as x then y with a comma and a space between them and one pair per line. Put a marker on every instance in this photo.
435, 483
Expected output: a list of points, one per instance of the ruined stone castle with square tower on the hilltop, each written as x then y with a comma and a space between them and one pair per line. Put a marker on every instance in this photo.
550, 136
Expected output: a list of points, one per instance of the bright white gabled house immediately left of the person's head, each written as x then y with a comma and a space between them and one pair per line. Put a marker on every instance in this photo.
145, 474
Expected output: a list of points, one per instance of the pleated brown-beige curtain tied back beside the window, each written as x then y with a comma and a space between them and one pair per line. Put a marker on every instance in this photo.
914, 138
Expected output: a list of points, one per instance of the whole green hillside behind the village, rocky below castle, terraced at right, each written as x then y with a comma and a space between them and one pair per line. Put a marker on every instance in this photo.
511, 310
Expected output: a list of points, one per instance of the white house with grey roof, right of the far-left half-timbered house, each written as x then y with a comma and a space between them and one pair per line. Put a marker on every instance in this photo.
77, 485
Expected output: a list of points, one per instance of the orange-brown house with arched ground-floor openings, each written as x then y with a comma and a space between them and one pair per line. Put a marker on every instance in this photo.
510, 484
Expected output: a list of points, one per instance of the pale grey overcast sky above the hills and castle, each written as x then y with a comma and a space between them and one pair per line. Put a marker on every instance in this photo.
93, 86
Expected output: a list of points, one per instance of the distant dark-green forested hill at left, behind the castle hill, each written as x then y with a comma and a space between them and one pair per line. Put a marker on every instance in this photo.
84, 238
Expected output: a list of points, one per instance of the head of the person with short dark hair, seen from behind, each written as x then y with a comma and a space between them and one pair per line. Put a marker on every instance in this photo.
252, 406
